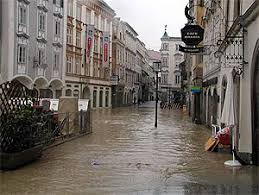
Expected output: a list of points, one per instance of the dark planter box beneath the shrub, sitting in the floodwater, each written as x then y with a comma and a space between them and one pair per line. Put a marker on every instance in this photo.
10, 161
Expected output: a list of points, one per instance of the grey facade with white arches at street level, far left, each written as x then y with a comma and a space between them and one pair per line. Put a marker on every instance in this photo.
32, 45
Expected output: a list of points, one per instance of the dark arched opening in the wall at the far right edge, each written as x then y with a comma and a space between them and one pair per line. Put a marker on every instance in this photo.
255, 104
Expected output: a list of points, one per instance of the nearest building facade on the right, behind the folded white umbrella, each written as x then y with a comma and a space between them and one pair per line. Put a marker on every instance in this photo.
230, 71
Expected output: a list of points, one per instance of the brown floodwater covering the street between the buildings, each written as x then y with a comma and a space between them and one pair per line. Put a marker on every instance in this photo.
127, 155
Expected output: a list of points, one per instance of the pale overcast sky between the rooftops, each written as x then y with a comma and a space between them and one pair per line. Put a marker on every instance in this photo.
148, 17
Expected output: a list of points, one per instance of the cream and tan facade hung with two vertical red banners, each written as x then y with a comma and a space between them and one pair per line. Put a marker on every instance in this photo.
89, 51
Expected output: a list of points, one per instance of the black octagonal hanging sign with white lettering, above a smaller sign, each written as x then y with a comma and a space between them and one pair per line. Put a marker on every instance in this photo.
192, 34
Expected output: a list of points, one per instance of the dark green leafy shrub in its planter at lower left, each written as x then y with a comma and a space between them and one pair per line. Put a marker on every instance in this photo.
22, 136
